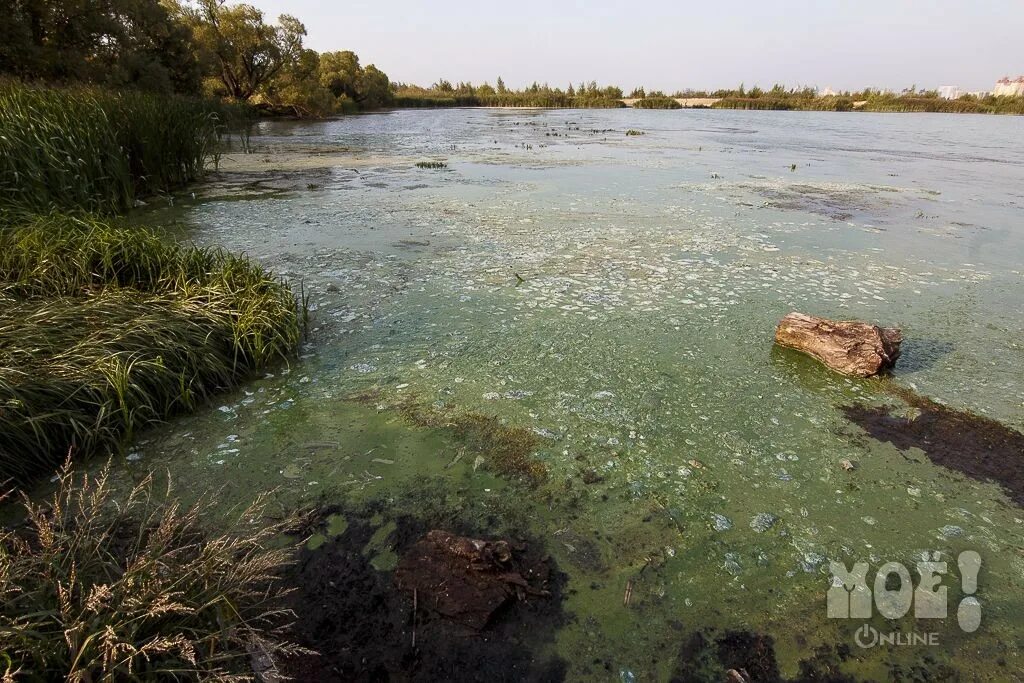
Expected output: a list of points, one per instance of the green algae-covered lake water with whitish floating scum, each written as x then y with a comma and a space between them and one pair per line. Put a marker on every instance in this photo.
615, 298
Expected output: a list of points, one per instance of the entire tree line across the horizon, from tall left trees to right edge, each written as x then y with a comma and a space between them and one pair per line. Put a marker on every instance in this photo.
232, 52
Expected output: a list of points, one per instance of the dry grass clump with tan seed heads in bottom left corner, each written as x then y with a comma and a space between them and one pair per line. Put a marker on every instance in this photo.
98, 588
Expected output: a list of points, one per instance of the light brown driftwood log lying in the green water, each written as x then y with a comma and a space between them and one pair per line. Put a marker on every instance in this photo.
850, 348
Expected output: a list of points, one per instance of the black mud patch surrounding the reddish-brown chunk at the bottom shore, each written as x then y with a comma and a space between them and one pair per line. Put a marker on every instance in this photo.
365, 629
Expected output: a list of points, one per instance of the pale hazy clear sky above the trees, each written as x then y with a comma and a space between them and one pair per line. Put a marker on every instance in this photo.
674, 46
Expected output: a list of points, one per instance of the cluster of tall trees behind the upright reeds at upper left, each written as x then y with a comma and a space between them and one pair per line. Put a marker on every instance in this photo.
193, 48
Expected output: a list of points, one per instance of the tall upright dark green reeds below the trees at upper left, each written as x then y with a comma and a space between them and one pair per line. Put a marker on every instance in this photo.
98, 151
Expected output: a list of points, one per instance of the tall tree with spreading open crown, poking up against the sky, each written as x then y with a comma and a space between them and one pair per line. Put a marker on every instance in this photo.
243, 51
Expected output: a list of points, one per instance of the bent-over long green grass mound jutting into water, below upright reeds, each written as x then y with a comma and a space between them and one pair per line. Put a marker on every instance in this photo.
106, 329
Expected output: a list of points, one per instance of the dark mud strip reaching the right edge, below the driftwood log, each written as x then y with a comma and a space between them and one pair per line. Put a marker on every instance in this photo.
975, 446
